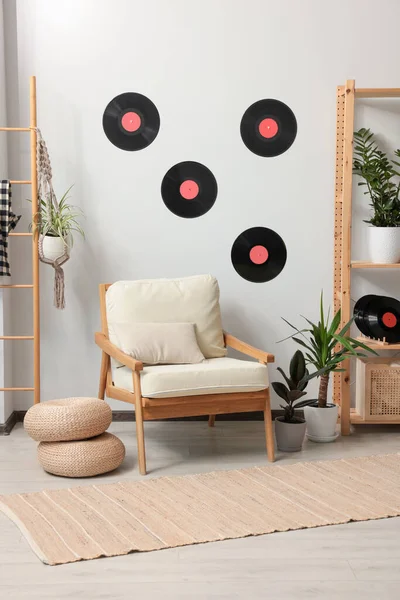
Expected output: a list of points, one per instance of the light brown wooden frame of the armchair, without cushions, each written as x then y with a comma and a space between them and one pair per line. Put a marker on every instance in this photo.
147, 409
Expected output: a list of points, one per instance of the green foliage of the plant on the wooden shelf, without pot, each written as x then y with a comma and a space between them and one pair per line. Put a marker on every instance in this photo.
378, 174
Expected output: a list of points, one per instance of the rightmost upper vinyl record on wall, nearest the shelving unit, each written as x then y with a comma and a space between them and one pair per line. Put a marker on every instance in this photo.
268, 127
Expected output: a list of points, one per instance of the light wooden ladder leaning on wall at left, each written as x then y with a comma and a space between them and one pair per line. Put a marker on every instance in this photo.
35, 253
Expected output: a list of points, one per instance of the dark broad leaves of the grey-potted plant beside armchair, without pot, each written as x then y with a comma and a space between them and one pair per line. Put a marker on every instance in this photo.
294, 390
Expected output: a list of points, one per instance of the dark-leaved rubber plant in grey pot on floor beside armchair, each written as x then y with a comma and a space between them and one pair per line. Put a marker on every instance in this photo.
290, 429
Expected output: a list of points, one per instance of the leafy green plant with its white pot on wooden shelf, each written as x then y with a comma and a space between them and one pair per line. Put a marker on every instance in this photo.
378, 174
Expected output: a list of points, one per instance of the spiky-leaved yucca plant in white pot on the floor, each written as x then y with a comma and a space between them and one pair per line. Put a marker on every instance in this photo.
326, 347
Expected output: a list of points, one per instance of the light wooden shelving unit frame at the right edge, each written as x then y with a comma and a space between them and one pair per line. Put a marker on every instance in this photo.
343, 264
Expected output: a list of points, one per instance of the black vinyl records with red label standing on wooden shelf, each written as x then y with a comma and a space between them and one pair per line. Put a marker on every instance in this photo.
378, 317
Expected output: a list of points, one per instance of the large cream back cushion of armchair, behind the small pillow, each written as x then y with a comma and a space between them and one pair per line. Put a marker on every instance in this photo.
190, 299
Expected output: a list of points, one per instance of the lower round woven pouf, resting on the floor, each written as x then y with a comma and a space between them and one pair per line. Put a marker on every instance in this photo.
83, 458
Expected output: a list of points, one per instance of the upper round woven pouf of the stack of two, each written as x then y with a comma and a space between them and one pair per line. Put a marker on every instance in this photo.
67, 419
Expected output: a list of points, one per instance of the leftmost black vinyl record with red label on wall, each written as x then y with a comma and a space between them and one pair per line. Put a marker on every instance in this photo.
131, 121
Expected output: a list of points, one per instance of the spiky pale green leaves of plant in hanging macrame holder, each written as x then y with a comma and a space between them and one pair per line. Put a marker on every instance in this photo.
62, 222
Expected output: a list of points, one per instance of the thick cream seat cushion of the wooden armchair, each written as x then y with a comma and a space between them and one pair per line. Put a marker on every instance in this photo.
212, 376
